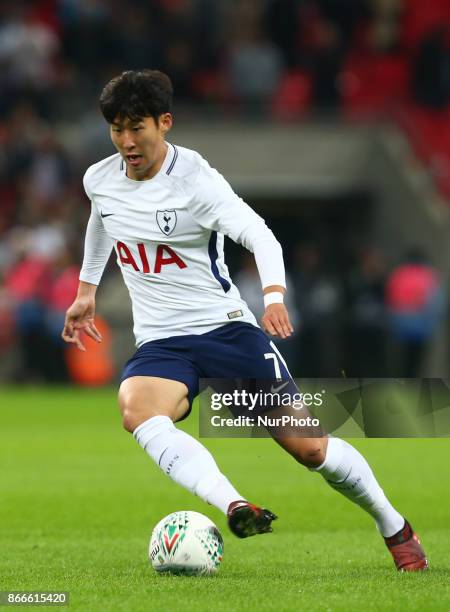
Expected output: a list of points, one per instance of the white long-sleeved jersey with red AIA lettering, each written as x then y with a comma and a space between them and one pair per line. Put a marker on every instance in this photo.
168, 235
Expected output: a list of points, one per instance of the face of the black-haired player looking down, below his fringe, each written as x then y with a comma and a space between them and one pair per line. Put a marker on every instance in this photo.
141, 144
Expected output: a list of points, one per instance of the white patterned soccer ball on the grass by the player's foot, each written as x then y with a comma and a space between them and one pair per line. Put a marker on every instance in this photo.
187, 543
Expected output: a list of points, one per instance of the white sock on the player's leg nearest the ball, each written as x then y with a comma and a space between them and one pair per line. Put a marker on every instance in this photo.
186, 461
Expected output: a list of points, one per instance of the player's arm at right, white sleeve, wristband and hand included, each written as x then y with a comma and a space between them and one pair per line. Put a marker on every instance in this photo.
227, 213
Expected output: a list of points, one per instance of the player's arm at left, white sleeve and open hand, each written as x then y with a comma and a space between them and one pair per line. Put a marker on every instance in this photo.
97, 249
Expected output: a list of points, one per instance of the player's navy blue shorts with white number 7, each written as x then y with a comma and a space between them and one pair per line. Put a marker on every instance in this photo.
234, 351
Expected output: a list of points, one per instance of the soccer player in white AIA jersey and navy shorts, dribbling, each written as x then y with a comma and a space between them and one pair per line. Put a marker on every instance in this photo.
165, 212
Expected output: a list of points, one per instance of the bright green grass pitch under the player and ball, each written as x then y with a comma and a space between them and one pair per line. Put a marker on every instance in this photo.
79, 498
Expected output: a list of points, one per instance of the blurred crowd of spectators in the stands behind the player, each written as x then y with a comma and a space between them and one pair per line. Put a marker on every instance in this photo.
278, 59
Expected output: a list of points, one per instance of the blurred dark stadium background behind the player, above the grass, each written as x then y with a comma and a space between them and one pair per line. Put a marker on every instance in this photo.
330, 117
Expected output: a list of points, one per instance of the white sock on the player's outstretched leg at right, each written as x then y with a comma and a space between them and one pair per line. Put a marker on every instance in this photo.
346, 470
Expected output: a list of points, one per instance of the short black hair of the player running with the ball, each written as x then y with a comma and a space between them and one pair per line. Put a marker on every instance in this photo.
136, 94
